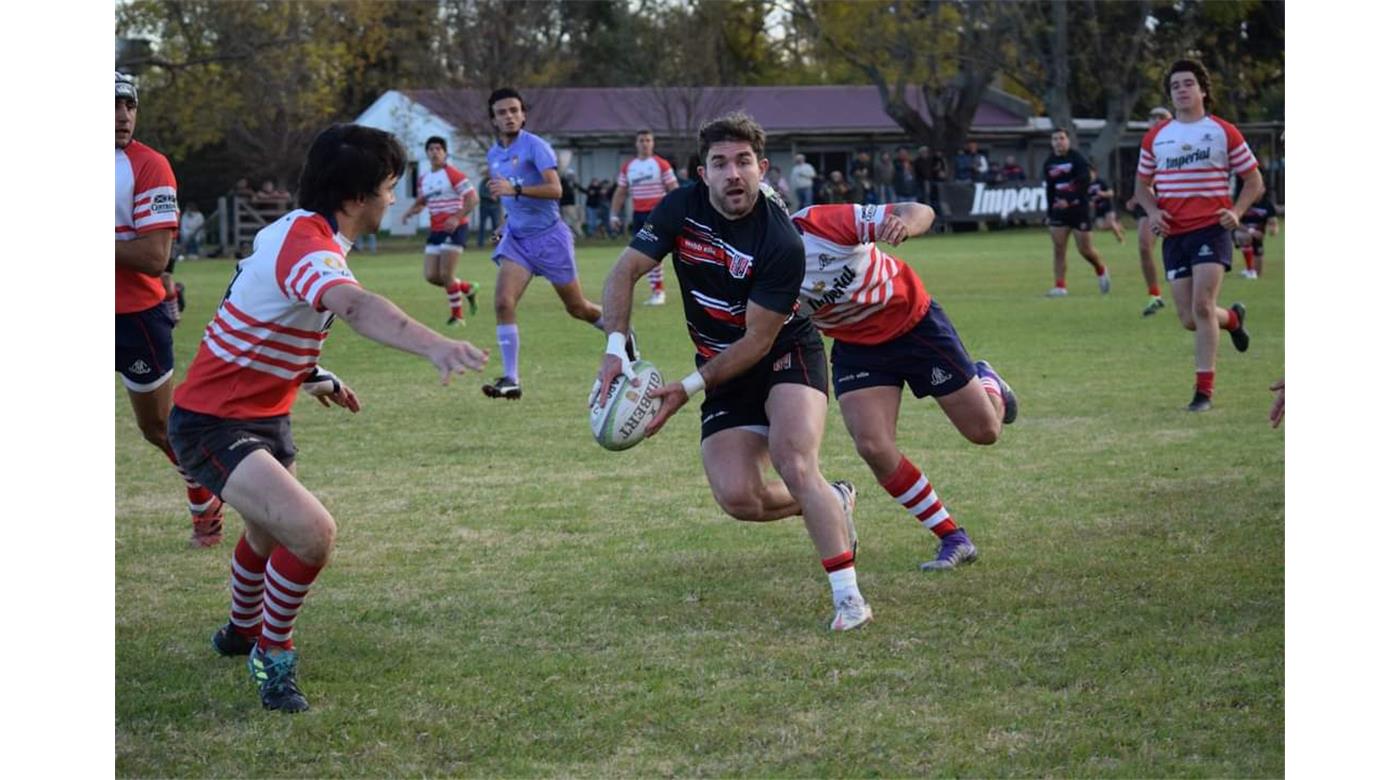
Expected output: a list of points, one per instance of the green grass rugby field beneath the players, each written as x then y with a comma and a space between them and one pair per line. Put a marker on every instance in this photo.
510, 600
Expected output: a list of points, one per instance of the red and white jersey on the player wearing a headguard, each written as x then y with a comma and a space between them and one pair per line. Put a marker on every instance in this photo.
145, 202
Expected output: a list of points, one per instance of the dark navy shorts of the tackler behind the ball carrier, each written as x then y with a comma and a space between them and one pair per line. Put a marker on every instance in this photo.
930, 358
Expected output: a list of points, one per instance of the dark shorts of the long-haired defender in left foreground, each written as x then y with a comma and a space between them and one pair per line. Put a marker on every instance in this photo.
209, 449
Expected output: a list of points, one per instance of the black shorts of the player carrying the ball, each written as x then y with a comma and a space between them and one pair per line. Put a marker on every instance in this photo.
741, 401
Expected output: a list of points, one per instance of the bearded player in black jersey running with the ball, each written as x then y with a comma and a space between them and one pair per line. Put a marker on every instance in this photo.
762, 366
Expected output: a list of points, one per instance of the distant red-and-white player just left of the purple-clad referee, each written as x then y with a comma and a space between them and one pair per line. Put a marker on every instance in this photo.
449, 197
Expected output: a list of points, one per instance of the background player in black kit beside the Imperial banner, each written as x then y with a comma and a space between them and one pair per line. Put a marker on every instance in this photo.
1067, 193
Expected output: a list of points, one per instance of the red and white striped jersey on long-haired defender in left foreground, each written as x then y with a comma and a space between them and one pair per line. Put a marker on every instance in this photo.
267, 335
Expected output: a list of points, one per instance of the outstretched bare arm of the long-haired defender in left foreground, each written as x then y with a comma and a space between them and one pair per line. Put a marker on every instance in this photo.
377, 319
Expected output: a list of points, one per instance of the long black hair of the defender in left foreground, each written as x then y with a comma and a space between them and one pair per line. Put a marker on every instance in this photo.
348, 163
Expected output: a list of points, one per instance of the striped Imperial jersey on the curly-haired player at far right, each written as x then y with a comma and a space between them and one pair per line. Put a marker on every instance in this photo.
1191, 165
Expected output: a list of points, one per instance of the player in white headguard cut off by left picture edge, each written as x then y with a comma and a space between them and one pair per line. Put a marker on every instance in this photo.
146, 223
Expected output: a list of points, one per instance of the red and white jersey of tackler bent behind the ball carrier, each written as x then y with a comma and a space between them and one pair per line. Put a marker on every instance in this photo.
855, 292
